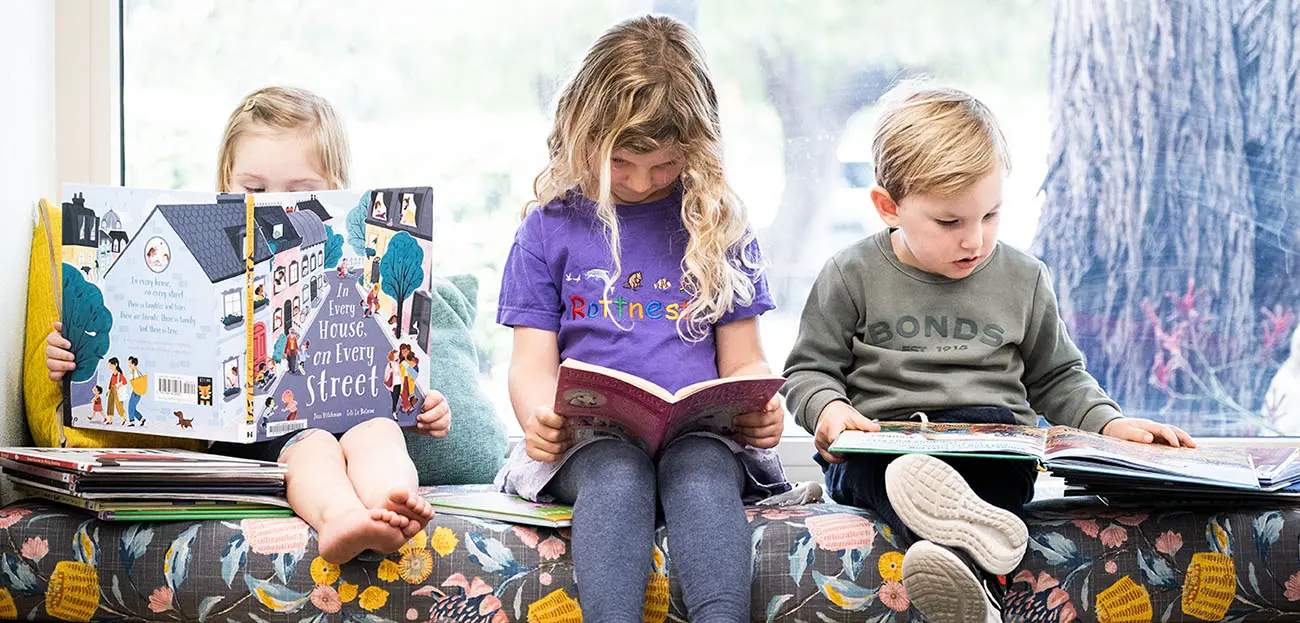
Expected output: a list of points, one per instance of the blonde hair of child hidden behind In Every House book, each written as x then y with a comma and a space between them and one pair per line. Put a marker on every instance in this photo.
288, 110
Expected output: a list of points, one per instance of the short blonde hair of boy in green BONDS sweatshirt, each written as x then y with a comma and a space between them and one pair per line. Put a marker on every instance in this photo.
935, 140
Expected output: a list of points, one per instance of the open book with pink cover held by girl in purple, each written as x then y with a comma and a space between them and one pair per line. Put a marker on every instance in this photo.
604, 403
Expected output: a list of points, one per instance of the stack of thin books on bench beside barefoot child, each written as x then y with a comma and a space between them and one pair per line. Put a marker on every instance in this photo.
148, 484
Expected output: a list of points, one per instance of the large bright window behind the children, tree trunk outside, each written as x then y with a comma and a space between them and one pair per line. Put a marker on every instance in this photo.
1181, 288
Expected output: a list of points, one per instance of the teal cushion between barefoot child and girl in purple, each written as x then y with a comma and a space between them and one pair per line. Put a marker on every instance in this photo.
476, 447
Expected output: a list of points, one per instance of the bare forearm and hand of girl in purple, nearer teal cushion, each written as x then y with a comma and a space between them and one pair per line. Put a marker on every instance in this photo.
534, 375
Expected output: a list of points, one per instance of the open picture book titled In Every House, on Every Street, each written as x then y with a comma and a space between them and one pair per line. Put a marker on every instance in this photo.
180, 331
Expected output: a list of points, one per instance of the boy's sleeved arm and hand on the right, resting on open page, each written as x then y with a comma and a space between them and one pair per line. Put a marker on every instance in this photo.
1060, 387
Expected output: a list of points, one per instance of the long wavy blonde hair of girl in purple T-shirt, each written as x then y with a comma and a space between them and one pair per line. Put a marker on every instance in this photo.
644, 86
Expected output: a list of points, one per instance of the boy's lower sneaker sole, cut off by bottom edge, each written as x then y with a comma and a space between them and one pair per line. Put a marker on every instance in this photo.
942, 586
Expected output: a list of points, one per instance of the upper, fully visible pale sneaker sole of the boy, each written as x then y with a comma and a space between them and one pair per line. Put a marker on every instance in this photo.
935, 503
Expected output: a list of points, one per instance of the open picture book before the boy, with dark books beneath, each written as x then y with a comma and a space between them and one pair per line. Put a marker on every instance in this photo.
1093, 465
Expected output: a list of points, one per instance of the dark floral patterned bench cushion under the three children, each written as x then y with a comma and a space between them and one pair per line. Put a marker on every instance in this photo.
820, 563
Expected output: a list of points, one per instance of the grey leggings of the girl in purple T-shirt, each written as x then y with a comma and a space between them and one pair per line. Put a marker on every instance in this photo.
613, 484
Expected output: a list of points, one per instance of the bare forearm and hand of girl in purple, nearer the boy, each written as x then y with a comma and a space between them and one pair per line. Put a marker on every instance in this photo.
739, 354
